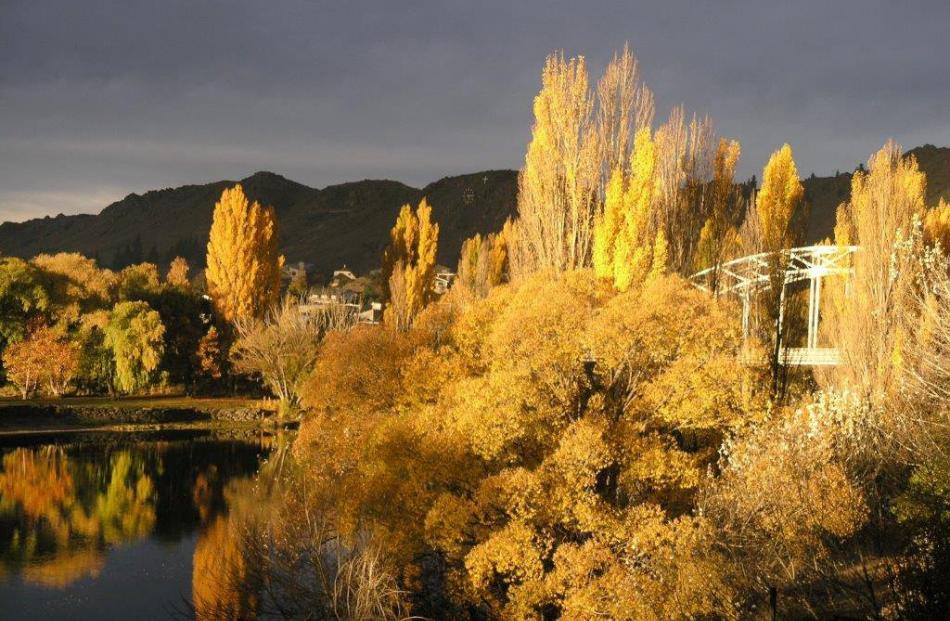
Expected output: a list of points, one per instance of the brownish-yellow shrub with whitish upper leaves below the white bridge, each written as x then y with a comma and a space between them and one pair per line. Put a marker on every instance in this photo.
788, 498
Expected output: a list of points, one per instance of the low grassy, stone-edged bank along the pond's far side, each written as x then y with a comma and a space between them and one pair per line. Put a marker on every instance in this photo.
131, 413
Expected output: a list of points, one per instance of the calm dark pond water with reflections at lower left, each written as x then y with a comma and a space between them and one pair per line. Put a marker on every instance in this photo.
112, 526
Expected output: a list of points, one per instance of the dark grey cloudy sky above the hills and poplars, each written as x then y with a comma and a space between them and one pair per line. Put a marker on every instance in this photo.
99, 99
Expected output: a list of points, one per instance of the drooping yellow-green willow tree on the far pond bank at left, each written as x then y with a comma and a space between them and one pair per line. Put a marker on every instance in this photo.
135, 335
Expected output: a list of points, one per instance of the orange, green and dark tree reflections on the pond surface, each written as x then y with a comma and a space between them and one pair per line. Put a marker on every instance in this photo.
63, 506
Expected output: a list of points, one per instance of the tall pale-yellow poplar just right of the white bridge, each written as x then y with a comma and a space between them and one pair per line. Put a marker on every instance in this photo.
870, 324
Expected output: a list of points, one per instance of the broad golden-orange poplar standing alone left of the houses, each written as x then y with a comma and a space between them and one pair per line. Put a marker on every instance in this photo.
243, 263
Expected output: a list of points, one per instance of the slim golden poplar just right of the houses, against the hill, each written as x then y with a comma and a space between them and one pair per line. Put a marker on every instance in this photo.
409, 263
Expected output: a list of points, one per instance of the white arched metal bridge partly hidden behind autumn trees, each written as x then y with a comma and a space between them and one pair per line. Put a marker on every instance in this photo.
748, 276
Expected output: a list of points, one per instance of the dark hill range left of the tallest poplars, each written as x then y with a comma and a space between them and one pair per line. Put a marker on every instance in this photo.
340, 224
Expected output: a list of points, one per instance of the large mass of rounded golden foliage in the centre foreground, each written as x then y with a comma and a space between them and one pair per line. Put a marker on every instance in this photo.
482, 433
